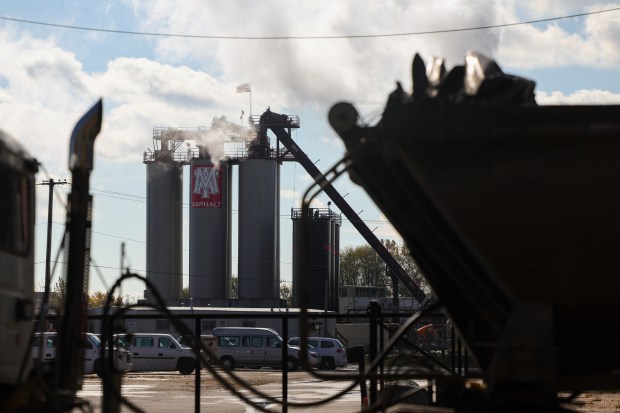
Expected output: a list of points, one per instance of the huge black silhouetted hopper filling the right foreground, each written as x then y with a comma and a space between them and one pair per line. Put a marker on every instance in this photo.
512, 211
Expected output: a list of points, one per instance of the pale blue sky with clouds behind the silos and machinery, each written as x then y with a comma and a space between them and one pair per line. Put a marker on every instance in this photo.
300, 59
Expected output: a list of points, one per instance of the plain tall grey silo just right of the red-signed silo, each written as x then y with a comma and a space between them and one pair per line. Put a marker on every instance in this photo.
259, 244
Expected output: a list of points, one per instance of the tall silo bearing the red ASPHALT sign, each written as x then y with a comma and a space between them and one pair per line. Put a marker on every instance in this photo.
209, 229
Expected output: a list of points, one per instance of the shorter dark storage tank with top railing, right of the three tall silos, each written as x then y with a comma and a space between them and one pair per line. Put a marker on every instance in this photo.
322, 283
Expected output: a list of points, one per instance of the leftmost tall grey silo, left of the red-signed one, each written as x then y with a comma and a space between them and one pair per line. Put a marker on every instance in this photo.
164, 241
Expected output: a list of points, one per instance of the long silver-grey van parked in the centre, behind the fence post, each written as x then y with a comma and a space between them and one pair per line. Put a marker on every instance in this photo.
255, 347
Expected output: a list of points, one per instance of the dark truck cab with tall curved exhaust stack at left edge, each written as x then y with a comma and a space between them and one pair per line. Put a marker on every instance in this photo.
27, 384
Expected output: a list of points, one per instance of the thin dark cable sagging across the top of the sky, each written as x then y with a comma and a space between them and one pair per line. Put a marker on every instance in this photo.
326, 37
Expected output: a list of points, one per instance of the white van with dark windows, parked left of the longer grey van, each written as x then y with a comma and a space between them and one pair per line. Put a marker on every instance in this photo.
157, 352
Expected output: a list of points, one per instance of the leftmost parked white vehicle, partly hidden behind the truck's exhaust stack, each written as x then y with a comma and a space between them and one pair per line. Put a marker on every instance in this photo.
92, 352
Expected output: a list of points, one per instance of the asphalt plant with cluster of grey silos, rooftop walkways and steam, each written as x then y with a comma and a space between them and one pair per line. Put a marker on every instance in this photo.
220, 151
